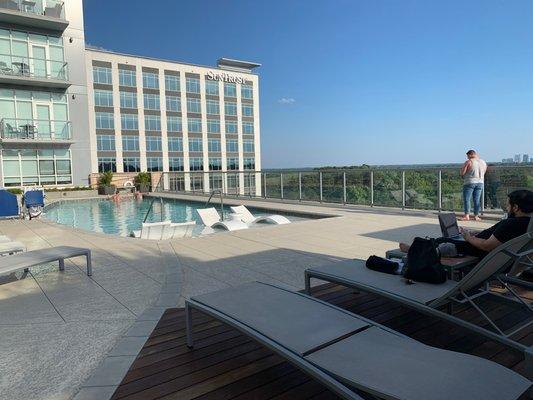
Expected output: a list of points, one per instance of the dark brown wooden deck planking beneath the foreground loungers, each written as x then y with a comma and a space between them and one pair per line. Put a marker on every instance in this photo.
227, 365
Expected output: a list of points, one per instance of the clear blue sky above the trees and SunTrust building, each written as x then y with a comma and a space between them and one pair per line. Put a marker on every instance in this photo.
346, 82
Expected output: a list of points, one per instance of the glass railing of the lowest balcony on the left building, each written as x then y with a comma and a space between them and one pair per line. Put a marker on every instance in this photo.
35, 129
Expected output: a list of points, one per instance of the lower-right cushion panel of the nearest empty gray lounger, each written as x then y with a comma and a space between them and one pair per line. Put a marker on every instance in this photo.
402, 368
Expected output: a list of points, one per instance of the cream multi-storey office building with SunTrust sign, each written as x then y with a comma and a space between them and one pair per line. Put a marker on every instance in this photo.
155, 115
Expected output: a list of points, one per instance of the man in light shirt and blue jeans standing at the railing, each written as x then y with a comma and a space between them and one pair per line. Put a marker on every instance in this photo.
473, 172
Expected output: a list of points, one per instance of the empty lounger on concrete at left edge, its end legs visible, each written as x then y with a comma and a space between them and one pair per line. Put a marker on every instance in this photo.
32, 258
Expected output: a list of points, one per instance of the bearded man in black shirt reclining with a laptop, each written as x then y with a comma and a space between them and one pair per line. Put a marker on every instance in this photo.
519, 212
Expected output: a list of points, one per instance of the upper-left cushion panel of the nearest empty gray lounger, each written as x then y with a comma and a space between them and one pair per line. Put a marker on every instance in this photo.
277, 314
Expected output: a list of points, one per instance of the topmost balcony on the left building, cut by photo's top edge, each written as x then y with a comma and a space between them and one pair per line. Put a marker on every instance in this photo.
46, 14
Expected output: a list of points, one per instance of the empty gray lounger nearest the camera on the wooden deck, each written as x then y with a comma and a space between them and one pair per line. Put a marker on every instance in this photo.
347, 352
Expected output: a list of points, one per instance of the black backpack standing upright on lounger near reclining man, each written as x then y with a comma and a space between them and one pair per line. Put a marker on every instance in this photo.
423, 262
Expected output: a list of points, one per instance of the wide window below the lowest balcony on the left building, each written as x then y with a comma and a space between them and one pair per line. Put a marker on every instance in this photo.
45, 167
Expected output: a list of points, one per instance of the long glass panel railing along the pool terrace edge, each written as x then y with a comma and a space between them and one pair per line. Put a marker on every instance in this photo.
423, 189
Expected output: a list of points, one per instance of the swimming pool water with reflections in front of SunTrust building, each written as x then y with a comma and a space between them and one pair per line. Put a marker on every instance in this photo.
105, 216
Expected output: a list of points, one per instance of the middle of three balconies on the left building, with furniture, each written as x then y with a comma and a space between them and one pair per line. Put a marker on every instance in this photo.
33, 72
